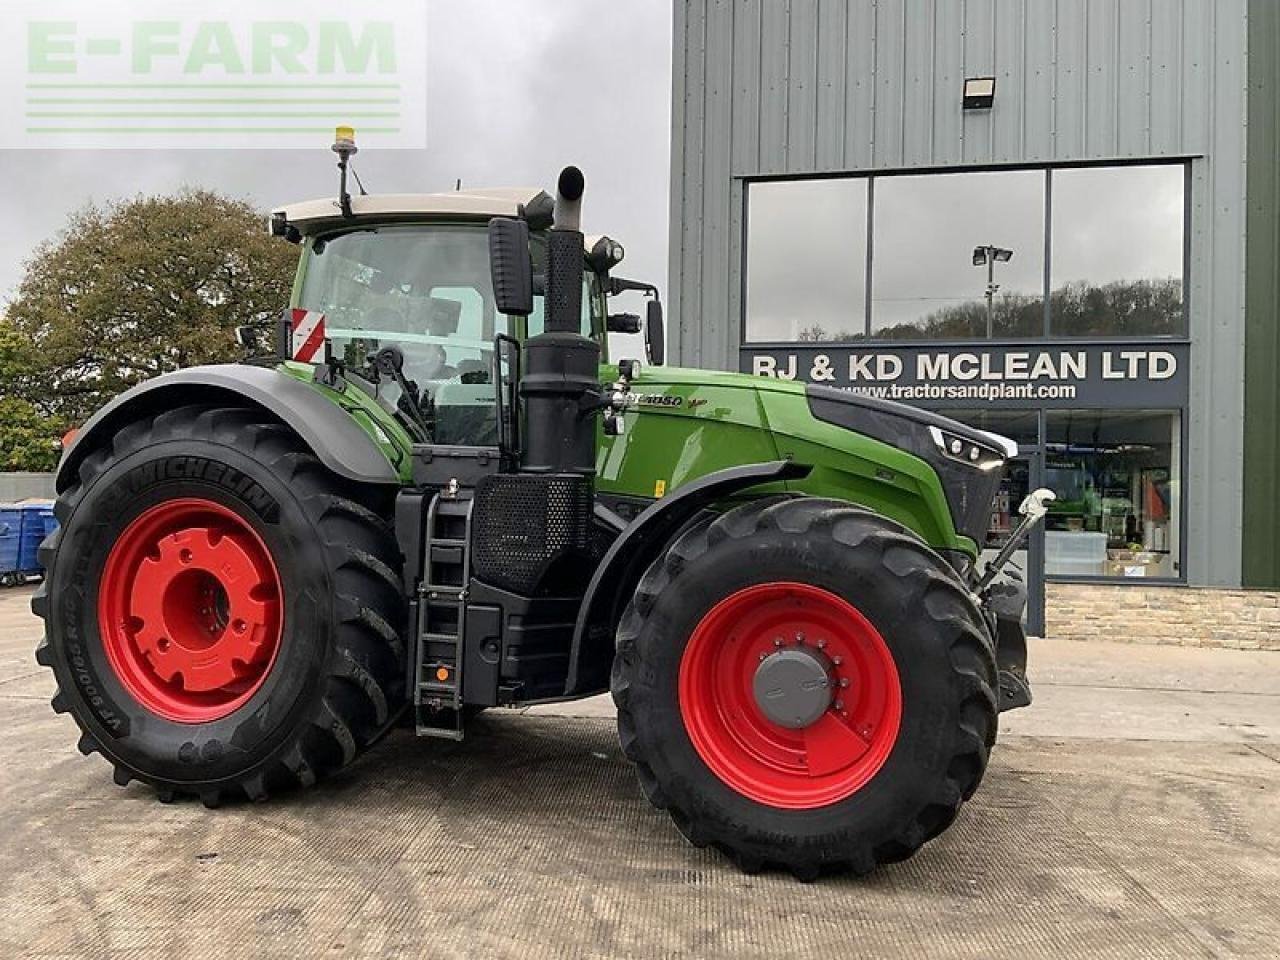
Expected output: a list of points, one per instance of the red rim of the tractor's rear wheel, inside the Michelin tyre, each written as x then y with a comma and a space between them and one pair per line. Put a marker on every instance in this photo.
190, 610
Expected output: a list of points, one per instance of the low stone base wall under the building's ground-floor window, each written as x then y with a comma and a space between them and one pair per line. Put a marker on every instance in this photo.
1186, 616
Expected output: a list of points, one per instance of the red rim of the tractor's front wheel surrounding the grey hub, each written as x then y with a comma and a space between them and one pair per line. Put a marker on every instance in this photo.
816, 766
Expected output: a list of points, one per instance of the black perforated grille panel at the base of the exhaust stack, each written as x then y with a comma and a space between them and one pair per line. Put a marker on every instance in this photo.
525, 527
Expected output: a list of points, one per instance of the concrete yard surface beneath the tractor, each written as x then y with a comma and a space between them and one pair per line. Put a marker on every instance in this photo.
1133, 811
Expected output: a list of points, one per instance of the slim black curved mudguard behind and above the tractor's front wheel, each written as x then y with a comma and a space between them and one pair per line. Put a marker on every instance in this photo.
636, 548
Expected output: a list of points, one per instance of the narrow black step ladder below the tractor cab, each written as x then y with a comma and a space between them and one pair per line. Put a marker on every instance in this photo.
442, 618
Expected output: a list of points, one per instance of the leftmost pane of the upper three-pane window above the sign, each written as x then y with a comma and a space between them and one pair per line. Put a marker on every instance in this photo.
807, 260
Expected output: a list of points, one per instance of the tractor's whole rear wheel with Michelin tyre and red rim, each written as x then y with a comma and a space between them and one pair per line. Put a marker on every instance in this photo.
223, 615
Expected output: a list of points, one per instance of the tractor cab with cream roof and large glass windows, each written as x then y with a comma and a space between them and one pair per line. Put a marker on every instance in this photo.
414, 271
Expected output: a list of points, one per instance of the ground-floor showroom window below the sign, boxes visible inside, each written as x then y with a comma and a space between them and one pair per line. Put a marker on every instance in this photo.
1117, 476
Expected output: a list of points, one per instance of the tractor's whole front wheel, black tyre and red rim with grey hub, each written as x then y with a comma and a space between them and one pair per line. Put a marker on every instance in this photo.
804, 684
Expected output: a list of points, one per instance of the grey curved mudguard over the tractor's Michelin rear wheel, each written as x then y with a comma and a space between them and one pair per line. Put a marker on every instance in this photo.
337, 441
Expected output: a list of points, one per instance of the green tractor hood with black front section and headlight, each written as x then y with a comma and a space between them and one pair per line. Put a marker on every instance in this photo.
927, 472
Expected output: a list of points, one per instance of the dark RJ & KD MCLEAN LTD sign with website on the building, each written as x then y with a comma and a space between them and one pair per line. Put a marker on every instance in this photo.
1096, 376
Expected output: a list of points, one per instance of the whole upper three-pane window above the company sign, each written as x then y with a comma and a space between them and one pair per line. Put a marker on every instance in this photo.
950, 257
